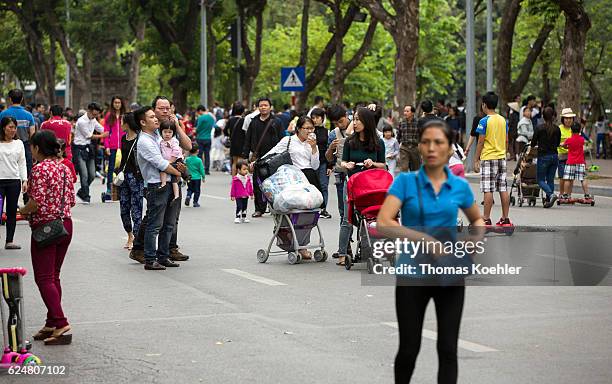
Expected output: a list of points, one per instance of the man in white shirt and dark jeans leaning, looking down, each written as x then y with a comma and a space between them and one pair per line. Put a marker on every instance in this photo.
83, 154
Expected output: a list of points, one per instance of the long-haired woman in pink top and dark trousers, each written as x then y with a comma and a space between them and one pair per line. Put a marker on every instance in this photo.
112, 125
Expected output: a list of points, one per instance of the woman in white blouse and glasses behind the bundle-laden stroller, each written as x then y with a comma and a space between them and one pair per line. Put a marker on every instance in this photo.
303, 149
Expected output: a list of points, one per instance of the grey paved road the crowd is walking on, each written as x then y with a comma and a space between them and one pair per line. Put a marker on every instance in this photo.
309, 323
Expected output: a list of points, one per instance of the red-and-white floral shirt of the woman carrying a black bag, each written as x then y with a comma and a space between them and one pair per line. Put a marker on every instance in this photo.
45, 187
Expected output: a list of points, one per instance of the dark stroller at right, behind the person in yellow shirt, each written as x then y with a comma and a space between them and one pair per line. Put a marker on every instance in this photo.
525, 182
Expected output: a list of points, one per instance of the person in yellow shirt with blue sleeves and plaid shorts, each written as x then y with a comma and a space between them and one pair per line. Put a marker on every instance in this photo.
491, 159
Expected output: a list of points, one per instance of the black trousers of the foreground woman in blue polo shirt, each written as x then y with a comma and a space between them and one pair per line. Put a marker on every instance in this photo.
410, 305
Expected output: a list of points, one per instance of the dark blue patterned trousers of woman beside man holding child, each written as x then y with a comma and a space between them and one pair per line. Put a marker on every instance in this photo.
131, 193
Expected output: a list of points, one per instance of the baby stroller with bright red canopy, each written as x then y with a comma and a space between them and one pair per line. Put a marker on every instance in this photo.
366, 192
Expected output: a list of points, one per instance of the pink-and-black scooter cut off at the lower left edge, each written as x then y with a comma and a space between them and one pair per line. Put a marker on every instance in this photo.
16, 347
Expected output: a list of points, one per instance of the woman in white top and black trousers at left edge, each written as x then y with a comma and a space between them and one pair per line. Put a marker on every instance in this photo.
13, 175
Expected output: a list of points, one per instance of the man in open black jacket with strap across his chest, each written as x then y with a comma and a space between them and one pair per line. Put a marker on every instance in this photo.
263, 133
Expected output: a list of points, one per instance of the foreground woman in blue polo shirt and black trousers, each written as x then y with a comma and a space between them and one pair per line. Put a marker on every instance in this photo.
429, 198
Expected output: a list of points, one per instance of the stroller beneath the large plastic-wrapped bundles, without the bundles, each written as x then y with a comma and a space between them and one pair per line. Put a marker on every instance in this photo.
292, 230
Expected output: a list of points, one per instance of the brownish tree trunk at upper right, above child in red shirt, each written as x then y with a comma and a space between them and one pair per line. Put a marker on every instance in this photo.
577, 24
